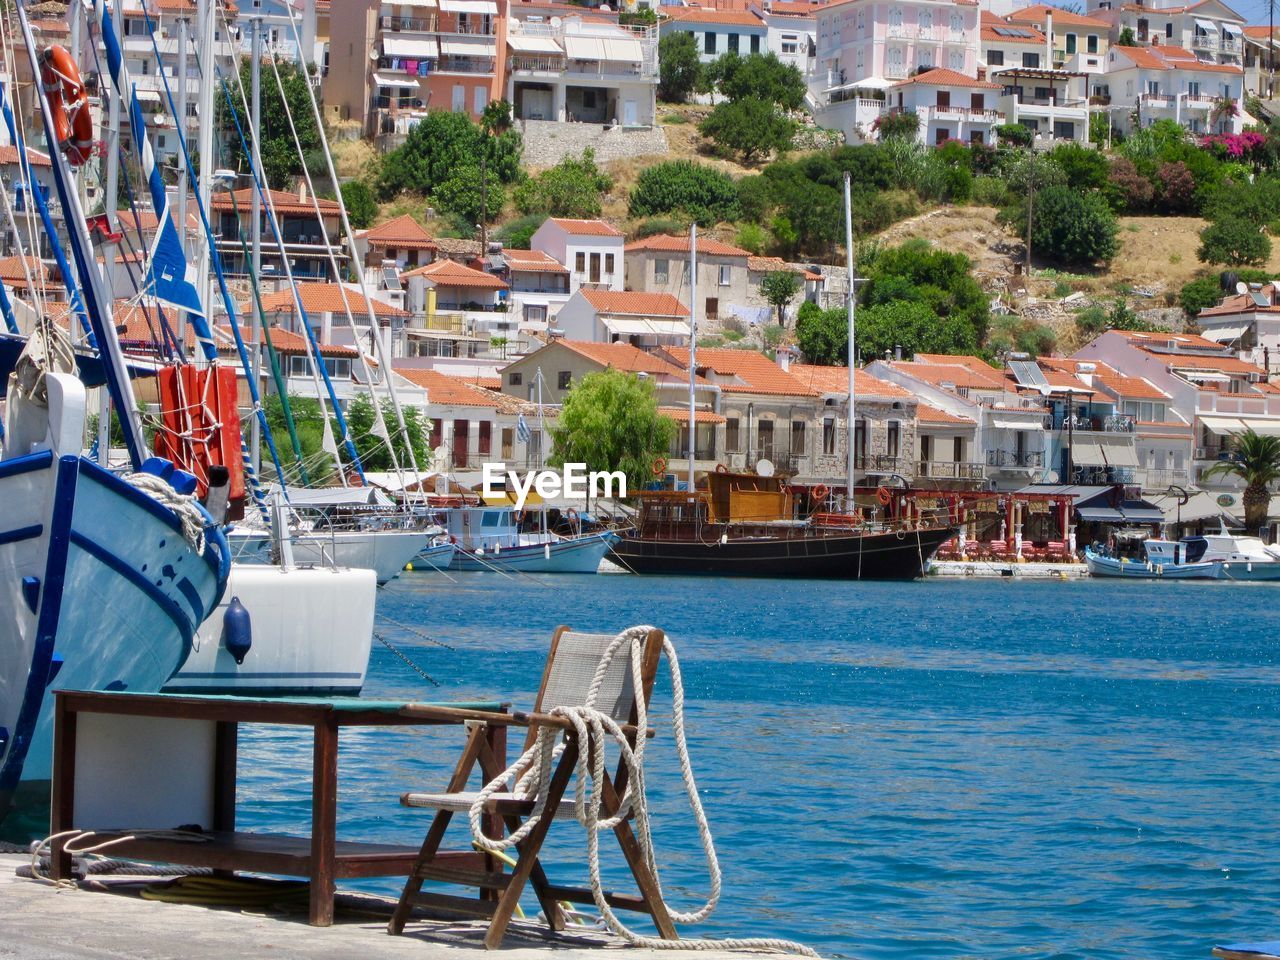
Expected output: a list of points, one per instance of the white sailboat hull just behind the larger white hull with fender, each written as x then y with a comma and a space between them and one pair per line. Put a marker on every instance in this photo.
386, 552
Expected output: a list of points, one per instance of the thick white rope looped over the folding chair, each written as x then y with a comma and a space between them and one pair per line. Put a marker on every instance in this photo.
533, 772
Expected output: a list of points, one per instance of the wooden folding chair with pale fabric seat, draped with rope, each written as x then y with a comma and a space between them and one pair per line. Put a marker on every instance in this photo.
572, 666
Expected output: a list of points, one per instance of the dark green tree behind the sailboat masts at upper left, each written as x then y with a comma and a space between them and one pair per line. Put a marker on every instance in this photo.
281, 158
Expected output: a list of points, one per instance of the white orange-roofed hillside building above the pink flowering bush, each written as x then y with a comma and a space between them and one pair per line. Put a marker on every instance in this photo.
1149, 84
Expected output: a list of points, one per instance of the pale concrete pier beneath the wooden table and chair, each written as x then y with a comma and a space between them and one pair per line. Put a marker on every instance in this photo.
39, 922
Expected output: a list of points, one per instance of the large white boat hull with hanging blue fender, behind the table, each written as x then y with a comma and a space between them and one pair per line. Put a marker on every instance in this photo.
312, 630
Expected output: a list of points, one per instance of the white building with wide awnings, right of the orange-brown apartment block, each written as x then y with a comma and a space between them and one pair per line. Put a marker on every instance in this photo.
582, 70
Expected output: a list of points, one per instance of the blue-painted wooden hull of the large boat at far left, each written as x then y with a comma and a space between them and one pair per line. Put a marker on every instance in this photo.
103, 592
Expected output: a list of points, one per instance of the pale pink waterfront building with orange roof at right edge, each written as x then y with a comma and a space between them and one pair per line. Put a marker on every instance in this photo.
1209, 387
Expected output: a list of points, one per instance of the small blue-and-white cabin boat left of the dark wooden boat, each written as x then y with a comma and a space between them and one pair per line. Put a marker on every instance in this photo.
492, 540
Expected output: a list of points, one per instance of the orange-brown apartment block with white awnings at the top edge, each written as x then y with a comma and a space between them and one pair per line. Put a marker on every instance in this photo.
390, 63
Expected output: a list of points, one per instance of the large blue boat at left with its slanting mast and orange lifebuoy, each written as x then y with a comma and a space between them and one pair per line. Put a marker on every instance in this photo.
104, 579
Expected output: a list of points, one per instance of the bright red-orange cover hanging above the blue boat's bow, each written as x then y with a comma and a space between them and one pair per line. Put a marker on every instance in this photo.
202, 423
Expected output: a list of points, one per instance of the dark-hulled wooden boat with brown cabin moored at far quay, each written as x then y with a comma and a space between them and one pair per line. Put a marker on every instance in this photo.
747, 525
